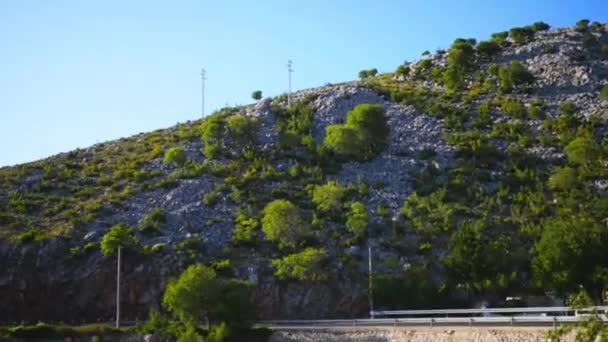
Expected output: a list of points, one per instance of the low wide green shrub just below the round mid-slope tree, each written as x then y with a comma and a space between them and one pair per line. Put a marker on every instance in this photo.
304, 266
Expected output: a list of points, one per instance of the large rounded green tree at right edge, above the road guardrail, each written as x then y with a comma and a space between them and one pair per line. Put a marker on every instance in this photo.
571, 252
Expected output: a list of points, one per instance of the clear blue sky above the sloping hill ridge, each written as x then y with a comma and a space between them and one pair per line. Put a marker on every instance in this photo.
73, 73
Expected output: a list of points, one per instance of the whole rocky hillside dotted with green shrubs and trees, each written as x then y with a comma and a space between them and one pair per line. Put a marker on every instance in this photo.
474, 173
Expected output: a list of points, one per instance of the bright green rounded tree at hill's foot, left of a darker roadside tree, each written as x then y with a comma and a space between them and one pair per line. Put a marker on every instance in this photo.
194, 295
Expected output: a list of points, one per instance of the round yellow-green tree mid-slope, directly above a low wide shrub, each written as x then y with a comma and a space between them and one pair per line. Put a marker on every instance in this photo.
282, 223
